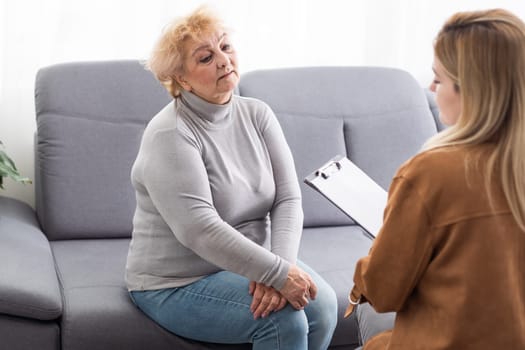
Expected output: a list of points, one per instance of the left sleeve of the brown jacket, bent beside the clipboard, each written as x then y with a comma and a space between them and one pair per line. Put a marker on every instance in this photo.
399, 255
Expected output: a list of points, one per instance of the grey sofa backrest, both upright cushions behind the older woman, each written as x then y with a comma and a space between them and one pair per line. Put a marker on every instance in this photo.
91, 116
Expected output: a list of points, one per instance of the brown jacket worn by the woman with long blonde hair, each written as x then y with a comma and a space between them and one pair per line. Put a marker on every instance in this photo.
451, 265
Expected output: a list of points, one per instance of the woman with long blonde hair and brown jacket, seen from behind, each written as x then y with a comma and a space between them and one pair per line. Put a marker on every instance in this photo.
450, 257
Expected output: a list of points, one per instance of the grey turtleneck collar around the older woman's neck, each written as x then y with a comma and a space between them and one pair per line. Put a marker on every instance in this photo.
209, 112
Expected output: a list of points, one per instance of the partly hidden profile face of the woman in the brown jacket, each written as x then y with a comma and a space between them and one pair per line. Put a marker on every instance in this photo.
447, 95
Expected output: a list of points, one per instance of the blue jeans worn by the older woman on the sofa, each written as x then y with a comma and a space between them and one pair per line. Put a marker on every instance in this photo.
217, 309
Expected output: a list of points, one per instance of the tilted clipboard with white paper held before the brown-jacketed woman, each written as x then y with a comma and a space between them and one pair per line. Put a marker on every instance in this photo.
351, 190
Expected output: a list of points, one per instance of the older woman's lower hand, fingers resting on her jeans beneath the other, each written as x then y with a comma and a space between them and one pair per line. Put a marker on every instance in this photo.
265, 300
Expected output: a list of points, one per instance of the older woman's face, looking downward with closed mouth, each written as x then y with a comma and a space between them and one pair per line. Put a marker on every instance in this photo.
210, 68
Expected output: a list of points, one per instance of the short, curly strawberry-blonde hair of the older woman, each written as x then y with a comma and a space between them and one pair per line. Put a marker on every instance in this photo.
169, 53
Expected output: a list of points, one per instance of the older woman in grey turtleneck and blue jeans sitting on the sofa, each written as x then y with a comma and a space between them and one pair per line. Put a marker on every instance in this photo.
218, 221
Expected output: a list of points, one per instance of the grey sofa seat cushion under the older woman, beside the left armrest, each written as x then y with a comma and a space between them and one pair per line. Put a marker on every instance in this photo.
98, 312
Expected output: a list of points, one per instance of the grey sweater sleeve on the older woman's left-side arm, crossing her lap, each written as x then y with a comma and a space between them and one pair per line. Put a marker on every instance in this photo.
177, 183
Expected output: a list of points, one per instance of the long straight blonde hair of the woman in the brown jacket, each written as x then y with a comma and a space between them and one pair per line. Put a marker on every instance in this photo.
483, 52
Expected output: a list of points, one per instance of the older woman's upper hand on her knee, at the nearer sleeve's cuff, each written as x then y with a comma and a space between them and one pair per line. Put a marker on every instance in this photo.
299, 287
